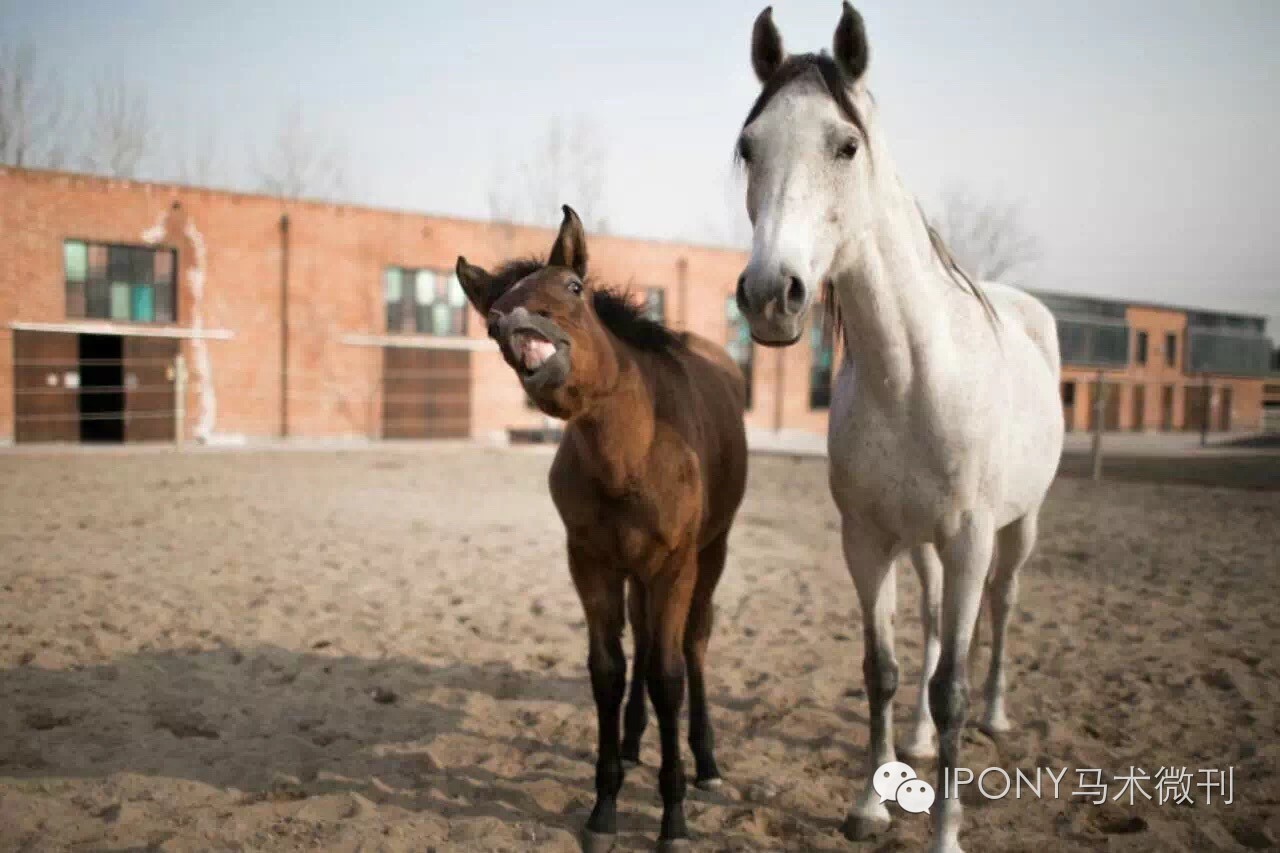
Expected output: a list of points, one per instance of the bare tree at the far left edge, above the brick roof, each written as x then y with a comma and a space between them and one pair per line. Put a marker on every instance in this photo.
33, 115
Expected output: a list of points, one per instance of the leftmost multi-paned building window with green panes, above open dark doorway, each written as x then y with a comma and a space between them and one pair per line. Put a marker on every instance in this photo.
131, 284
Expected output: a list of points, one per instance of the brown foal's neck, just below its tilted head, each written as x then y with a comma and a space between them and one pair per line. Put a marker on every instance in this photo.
619, 421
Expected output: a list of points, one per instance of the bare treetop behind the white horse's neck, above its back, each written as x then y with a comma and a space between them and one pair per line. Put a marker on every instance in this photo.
990, 239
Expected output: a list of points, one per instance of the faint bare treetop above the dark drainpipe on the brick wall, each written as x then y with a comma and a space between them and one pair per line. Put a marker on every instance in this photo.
301, 163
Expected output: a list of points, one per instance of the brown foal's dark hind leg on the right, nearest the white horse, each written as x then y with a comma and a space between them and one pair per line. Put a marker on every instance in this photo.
702, 742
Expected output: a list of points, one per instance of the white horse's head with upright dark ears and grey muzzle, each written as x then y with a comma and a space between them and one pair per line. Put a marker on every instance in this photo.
806, 149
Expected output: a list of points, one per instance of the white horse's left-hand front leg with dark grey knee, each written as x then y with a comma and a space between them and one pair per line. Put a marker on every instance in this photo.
876, 580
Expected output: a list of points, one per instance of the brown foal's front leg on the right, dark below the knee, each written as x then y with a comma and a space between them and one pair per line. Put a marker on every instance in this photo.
669, 612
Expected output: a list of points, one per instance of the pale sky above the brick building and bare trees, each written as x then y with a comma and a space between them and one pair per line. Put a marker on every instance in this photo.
1139, 136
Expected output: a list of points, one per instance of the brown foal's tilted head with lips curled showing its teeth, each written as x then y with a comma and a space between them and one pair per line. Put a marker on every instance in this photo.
543, 320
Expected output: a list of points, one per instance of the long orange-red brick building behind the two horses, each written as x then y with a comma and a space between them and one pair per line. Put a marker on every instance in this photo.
310, 320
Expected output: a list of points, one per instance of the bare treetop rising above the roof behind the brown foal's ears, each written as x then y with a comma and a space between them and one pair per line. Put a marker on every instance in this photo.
568, 166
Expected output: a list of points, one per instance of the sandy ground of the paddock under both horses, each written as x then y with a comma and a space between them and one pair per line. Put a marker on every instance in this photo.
382, 651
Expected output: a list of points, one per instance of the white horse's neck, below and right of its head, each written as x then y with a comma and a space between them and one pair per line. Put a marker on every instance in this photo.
892, 289
